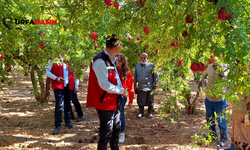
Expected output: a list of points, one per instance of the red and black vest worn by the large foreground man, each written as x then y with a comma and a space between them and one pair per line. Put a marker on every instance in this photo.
97, 97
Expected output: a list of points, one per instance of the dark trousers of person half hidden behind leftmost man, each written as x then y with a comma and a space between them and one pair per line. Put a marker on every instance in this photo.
76, 103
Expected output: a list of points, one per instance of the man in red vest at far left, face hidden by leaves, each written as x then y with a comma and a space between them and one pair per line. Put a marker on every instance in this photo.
63, 83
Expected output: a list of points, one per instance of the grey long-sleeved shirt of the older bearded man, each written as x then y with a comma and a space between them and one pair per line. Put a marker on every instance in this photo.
145, 76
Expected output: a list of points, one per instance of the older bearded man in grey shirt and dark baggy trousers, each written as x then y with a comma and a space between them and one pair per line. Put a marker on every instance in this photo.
147, 79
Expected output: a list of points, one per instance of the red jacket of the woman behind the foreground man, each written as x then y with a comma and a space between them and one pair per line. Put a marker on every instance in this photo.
128, 84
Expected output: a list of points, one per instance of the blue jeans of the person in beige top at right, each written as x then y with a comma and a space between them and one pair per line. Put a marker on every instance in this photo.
218, 107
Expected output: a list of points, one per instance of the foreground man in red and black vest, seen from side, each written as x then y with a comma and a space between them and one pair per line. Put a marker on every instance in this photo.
104, 93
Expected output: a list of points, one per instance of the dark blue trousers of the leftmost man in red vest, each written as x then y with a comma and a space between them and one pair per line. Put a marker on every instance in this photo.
62, 100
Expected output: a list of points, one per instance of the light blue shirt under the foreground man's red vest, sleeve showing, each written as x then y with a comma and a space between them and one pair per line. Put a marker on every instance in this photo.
101, 73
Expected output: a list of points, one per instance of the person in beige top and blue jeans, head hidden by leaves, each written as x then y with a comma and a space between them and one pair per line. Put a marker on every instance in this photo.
214, 104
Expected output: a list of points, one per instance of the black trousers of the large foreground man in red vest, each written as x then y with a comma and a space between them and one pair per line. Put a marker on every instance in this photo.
110, 127
